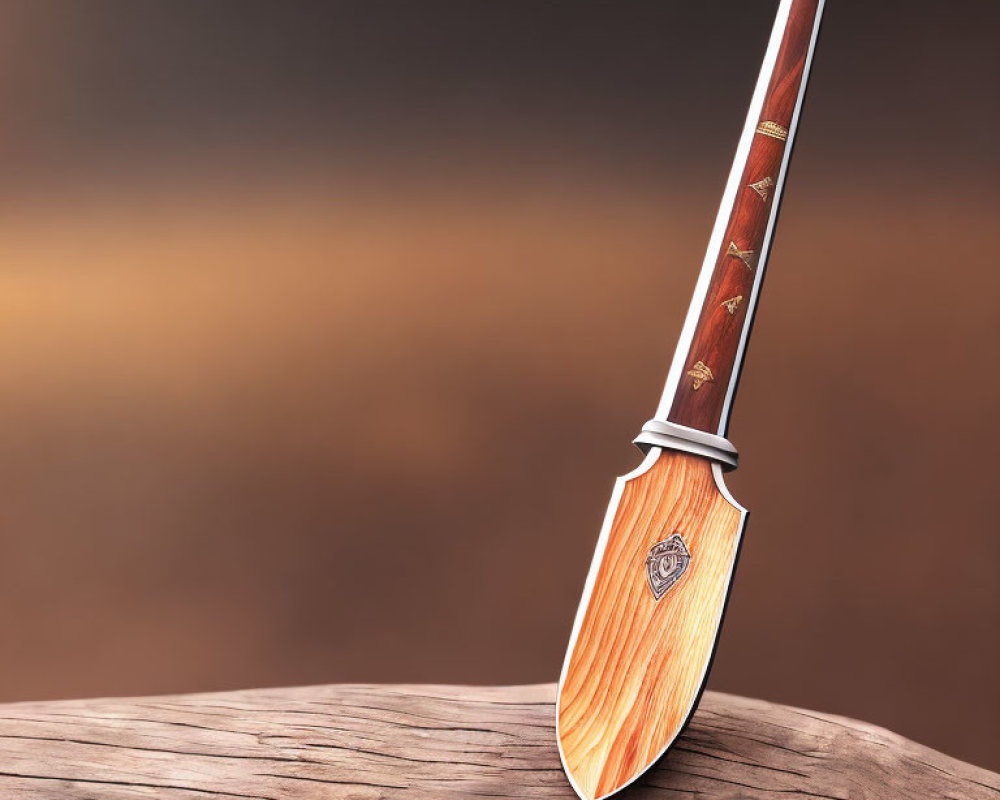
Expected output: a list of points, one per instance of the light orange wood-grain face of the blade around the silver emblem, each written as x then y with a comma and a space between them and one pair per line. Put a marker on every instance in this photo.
636, 664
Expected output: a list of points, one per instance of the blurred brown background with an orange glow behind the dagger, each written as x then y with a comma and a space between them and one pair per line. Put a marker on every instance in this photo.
324, 328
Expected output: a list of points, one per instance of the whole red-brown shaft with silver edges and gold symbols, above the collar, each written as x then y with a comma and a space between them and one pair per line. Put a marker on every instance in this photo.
707, 364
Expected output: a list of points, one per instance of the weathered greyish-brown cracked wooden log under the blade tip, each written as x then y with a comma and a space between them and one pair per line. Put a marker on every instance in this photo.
431, 742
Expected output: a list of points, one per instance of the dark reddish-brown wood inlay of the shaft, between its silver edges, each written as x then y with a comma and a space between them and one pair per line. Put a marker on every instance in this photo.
726, 312
